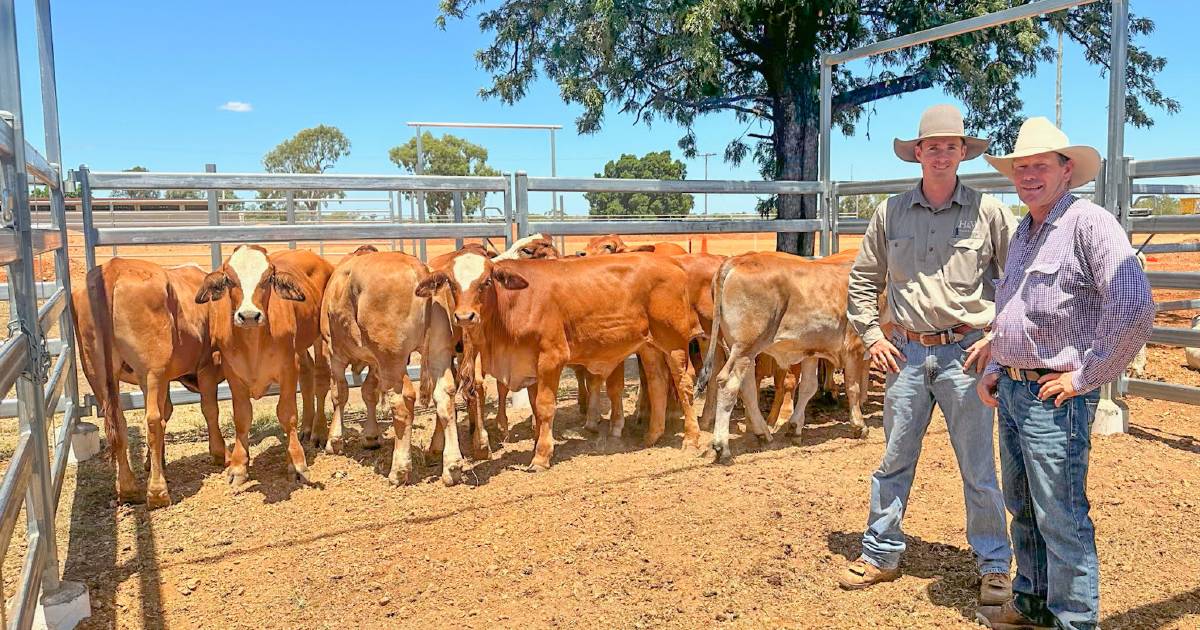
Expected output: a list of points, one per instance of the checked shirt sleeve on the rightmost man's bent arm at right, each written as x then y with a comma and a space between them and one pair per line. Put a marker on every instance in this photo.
1127, 303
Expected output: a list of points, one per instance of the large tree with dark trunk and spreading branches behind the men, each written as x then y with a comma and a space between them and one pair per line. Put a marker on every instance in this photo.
760, 61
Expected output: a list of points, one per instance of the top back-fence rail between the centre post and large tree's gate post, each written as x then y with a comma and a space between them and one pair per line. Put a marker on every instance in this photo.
687, 185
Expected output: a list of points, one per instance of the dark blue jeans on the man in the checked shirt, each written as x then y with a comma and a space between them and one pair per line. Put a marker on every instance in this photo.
1043, 453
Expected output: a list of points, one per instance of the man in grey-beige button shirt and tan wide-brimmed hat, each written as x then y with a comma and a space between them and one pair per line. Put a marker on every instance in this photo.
935, 250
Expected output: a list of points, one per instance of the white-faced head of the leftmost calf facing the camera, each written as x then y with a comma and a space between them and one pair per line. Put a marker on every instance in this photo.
250, 280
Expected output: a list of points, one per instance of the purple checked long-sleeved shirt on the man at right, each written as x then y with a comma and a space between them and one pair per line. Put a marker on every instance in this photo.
1073, 297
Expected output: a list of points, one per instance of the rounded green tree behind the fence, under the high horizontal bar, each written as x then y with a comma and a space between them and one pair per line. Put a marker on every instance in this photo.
448, 155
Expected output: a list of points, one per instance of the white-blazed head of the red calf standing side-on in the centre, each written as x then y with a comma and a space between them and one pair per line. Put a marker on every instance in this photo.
472, 283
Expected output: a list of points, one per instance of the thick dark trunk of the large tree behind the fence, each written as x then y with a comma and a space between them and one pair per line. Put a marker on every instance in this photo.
796, 137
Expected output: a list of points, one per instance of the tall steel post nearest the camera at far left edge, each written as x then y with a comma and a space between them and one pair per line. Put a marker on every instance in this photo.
32, 399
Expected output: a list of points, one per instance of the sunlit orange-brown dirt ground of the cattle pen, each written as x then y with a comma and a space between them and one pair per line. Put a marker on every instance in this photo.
614, 536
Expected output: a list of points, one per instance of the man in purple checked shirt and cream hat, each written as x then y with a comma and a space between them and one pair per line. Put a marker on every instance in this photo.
1072, 310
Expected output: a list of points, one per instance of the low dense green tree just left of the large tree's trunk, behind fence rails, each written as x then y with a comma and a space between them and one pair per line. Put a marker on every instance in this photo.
651, 166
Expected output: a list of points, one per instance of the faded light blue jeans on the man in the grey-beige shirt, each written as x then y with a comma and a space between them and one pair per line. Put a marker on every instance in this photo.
935, 375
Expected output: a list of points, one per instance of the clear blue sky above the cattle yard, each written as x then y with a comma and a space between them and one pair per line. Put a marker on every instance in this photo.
143, 83
